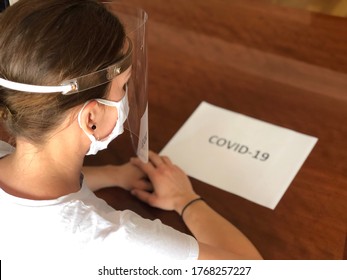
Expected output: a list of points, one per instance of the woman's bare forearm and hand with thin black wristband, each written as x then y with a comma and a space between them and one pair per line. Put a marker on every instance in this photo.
217, 237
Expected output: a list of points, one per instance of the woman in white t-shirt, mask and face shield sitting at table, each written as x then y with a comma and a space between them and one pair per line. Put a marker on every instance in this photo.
45, 204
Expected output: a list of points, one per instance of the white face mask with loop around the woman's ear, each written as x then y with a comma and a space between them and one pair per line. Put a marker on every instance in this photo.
123, 111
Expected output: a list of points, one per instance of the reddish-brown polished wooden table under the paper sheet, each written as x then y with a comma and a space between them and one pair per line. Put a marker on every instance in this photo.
280, 65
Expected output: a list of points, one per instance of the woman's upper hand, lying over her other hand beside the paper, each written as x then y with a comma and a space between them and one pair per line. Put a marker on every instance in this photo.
172, 189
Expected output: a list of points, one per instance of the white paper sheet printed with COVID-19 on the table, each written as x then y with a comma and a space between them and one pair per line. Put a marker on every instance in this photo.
242, 155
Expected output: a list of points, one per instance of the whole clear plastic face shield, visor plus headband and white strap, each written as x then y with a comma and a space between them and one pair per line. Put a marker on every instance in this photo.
134, 21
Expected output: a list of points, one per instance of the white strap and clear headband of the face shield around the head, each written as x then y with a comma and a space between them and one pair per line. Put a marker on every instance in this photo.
81, 83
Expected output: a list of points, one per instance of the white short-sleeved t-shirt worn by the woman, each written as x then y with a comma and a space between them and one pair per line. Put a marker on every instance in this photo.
82, 223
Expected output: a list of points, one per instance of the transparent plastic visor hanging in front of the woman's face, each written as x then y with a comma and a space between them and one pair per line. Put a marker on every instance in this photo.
134, 21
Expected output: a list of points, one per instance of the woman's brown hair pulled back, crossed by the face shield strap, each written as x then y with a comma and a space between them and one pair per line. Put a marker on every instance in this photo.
45, 43
